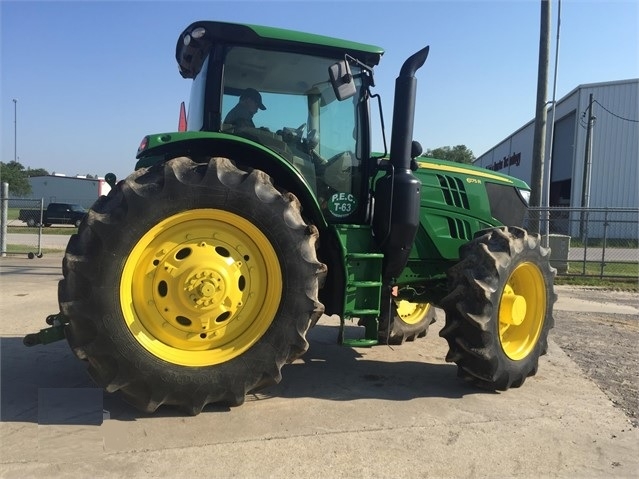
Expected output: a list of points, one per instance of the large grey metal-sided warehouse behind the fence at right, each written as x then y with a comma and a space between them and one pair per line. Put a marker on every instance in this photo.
613, 164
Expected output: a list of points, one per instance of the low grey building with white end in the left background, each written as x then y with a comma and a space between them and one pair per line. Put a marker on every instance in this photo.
67, 189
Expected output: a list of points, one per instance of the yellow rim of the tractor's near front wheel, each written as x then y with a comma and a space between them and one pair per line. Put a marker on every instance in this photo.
522, 311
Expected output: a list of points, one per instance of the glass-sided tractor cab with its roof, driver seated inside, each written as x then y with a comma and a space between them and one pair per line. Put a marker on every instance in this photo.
303, 122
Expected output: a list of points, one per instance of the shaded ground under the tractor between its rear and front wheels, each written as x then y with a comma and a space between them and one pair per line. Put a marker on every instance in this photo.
333, 372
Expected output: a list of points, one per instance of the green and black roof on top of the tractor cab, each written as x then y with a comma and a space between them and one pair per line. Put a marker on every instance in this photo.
195, 42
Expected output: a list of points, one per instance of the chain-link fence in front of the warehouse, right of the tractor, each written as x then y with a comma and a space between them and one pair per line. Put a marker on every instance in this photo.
596, 242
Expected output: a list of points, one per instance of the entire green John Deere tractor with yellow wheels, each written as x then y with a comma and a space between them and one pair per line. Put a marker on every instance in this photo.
199, 275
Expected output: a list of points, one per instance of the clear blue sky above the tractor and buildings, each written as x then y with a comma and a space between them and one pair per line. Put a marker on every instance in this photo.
92, 78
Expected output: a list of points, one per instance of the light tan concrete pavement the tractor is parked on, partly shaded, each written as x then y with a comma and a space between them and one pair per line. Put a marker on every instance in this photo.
339, 412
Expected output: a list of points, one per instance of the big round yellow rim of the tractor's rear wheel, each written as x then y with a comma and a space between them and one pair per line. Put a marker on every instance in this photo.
200, 287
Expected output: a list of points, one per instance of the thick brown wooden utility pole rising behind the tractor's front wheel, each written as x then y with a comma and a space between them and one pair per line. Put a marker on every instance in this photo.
539, 141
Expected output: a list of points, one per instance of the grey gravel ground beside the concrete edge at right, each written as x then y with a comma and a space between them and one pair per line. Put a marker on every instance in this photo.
604, 345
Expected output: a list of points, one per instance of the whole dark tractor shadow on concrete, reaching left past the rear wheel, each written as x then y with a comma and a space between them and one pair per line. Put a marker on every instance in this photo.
49, 385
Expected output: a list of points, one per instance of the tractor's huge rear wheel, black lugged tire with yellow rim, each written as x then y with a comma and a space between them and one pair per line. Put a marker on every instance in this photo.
189, 284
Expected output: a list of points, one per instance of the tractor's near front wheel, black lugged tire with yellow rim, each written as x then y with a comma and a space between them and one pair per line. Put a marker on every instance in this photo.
499, 309
